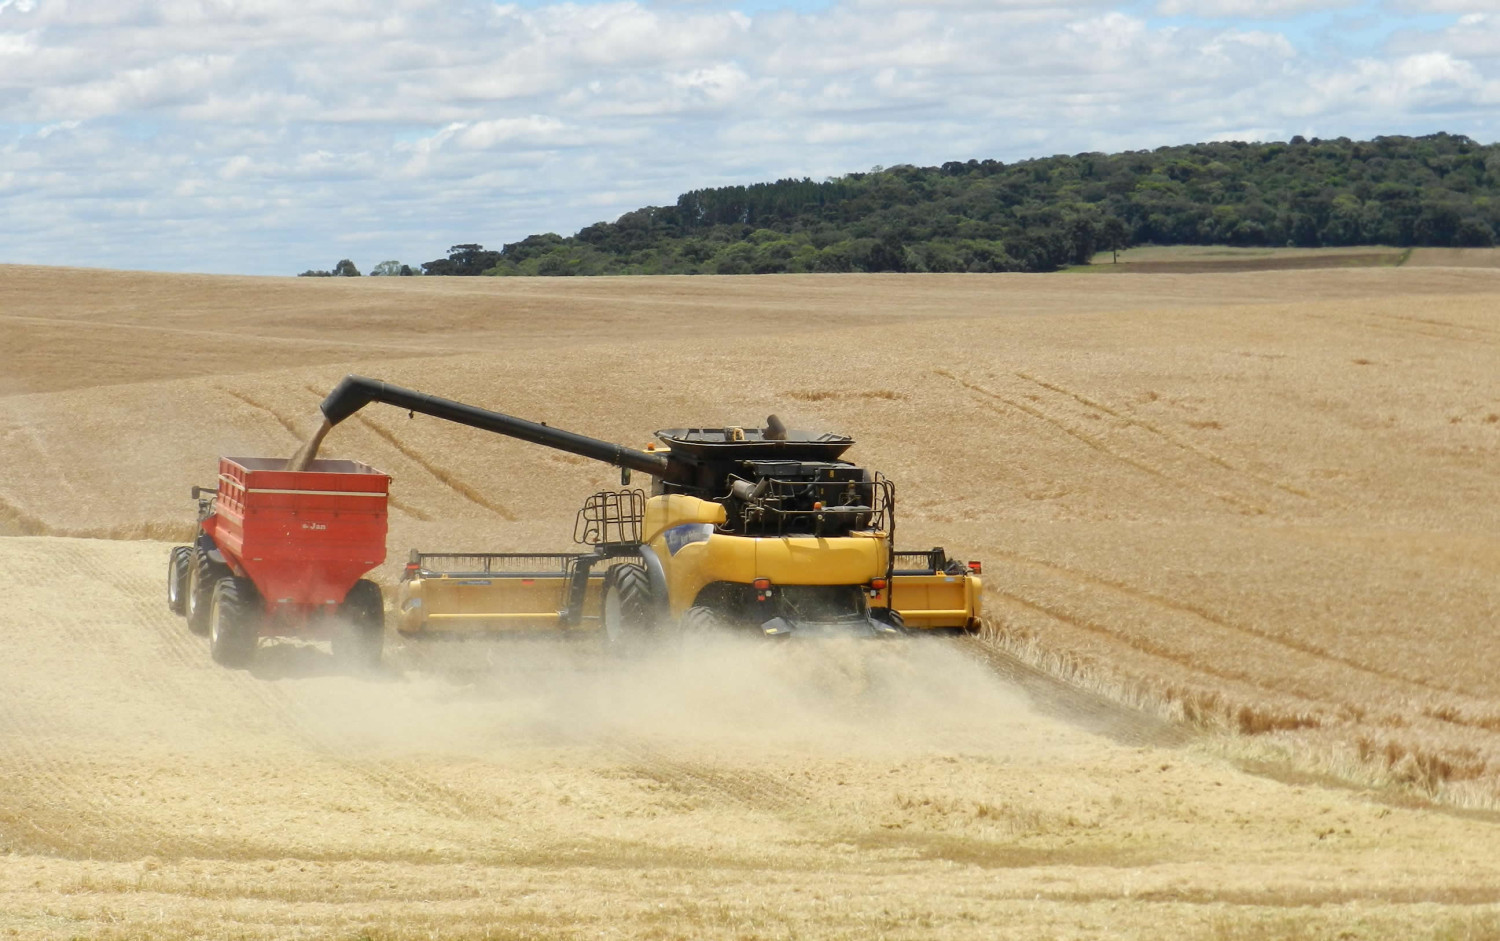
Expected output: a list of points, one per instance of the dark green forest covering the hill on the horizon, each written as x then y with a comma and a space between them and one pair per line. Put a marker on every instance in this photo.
1042, 215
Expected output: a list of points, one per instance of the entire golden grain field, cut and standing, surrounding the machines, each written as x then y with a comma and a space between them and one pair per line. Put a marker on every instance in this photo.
1262, 504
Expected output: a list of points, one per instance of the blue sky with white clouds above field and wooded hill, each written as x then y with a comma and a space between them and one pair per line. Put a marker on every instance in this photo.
268, 137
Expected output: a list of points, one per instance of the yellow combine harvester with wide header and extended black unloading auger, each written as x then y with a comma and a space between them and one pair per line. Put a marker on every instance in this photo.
760, 531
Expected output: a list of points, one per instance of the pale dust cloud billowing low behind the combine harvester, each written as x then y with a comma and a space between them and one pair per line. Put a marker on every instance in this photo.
857, 699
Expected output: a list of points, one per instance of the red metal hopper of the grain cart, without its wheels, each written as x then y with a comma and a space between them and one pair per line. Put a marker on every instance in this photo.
304, 538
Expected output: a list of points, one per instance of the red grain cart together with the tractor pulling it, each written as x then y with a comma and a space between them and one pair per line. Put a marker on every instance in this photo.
281, 553
